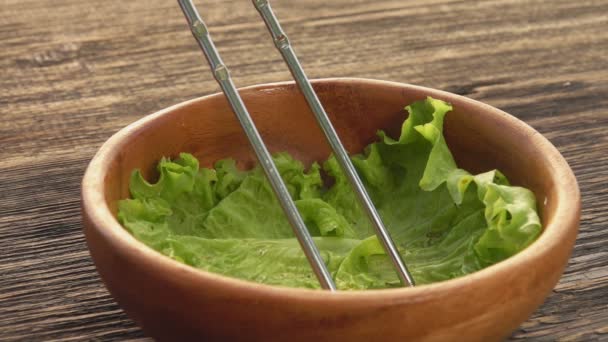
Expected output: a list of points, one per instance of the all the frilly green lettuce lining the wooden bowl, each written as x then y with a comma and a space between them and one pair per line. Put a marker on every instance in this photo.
446, 222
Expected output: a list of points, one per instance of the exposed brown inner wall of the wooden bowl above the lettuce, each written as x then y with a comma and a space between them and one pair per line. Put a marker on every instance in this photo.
480, 137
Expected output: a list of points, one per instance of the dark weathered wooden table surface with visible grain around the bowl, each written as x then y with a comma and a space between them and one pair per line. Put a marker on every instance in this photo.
72, 73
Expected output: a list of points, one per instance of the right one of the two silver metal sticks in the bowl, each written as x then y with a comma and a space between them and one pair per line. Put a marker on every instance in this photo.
283, 45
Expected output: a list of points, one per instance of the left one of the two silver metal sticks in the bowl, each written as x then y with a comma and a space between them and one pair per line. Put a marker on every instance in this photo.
200, 32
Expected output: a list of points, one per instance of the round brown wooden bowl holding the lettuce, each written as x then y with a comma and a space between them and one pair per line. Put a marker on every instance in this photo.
175, 302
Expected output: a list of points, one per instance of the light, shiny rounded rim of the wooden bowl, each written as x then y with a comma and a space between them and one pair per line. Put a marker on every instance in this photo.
567, 212
